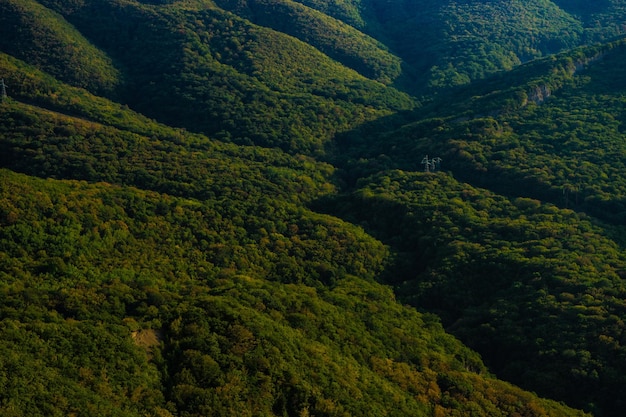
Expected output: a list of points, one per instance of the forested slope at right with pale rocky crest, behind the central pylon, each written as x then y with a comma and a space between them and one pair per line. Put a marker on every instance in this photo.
549, 130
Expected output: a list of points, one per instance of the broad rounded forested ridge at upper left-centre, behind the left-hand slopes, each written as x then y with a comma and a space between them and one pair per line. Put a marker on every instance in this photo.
235, 80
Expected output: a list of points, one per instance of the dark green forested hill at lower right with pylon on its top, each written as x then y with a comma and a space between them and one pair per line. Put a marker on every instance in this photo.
506, 277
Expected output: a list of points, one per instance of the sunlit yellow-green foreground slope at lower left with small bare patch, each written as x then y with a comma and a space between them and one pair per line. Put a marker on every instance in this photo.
86, 268
